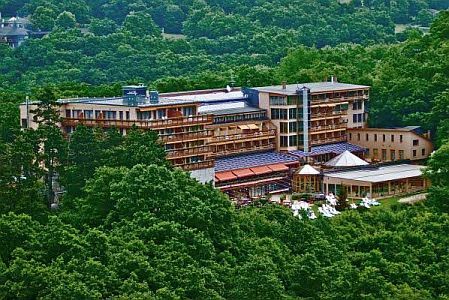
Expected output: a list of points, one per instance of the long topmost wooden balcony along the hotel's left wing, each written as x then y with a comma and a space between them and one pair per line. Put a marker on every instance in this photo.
143, 124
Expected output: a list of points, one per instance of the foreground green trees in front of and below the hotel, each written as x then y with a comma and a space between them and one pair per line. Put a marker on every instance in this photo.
131, 226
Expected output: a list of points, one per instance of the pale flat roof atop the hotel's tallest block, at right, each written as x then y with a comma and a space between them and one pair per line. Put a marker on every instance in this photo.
315, 87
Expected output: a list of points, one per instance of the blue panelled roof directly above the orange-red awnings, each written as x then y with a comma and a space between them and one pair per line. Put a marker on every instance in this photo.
253, 160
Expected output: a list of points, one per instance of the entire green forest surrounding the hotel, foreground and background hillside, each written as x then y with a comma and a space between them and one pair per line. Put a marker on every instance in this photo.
132, 226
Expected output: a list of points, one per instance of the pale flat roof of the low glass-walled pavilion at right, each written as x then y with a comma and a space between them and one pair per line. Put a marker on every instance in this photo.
380, 174
